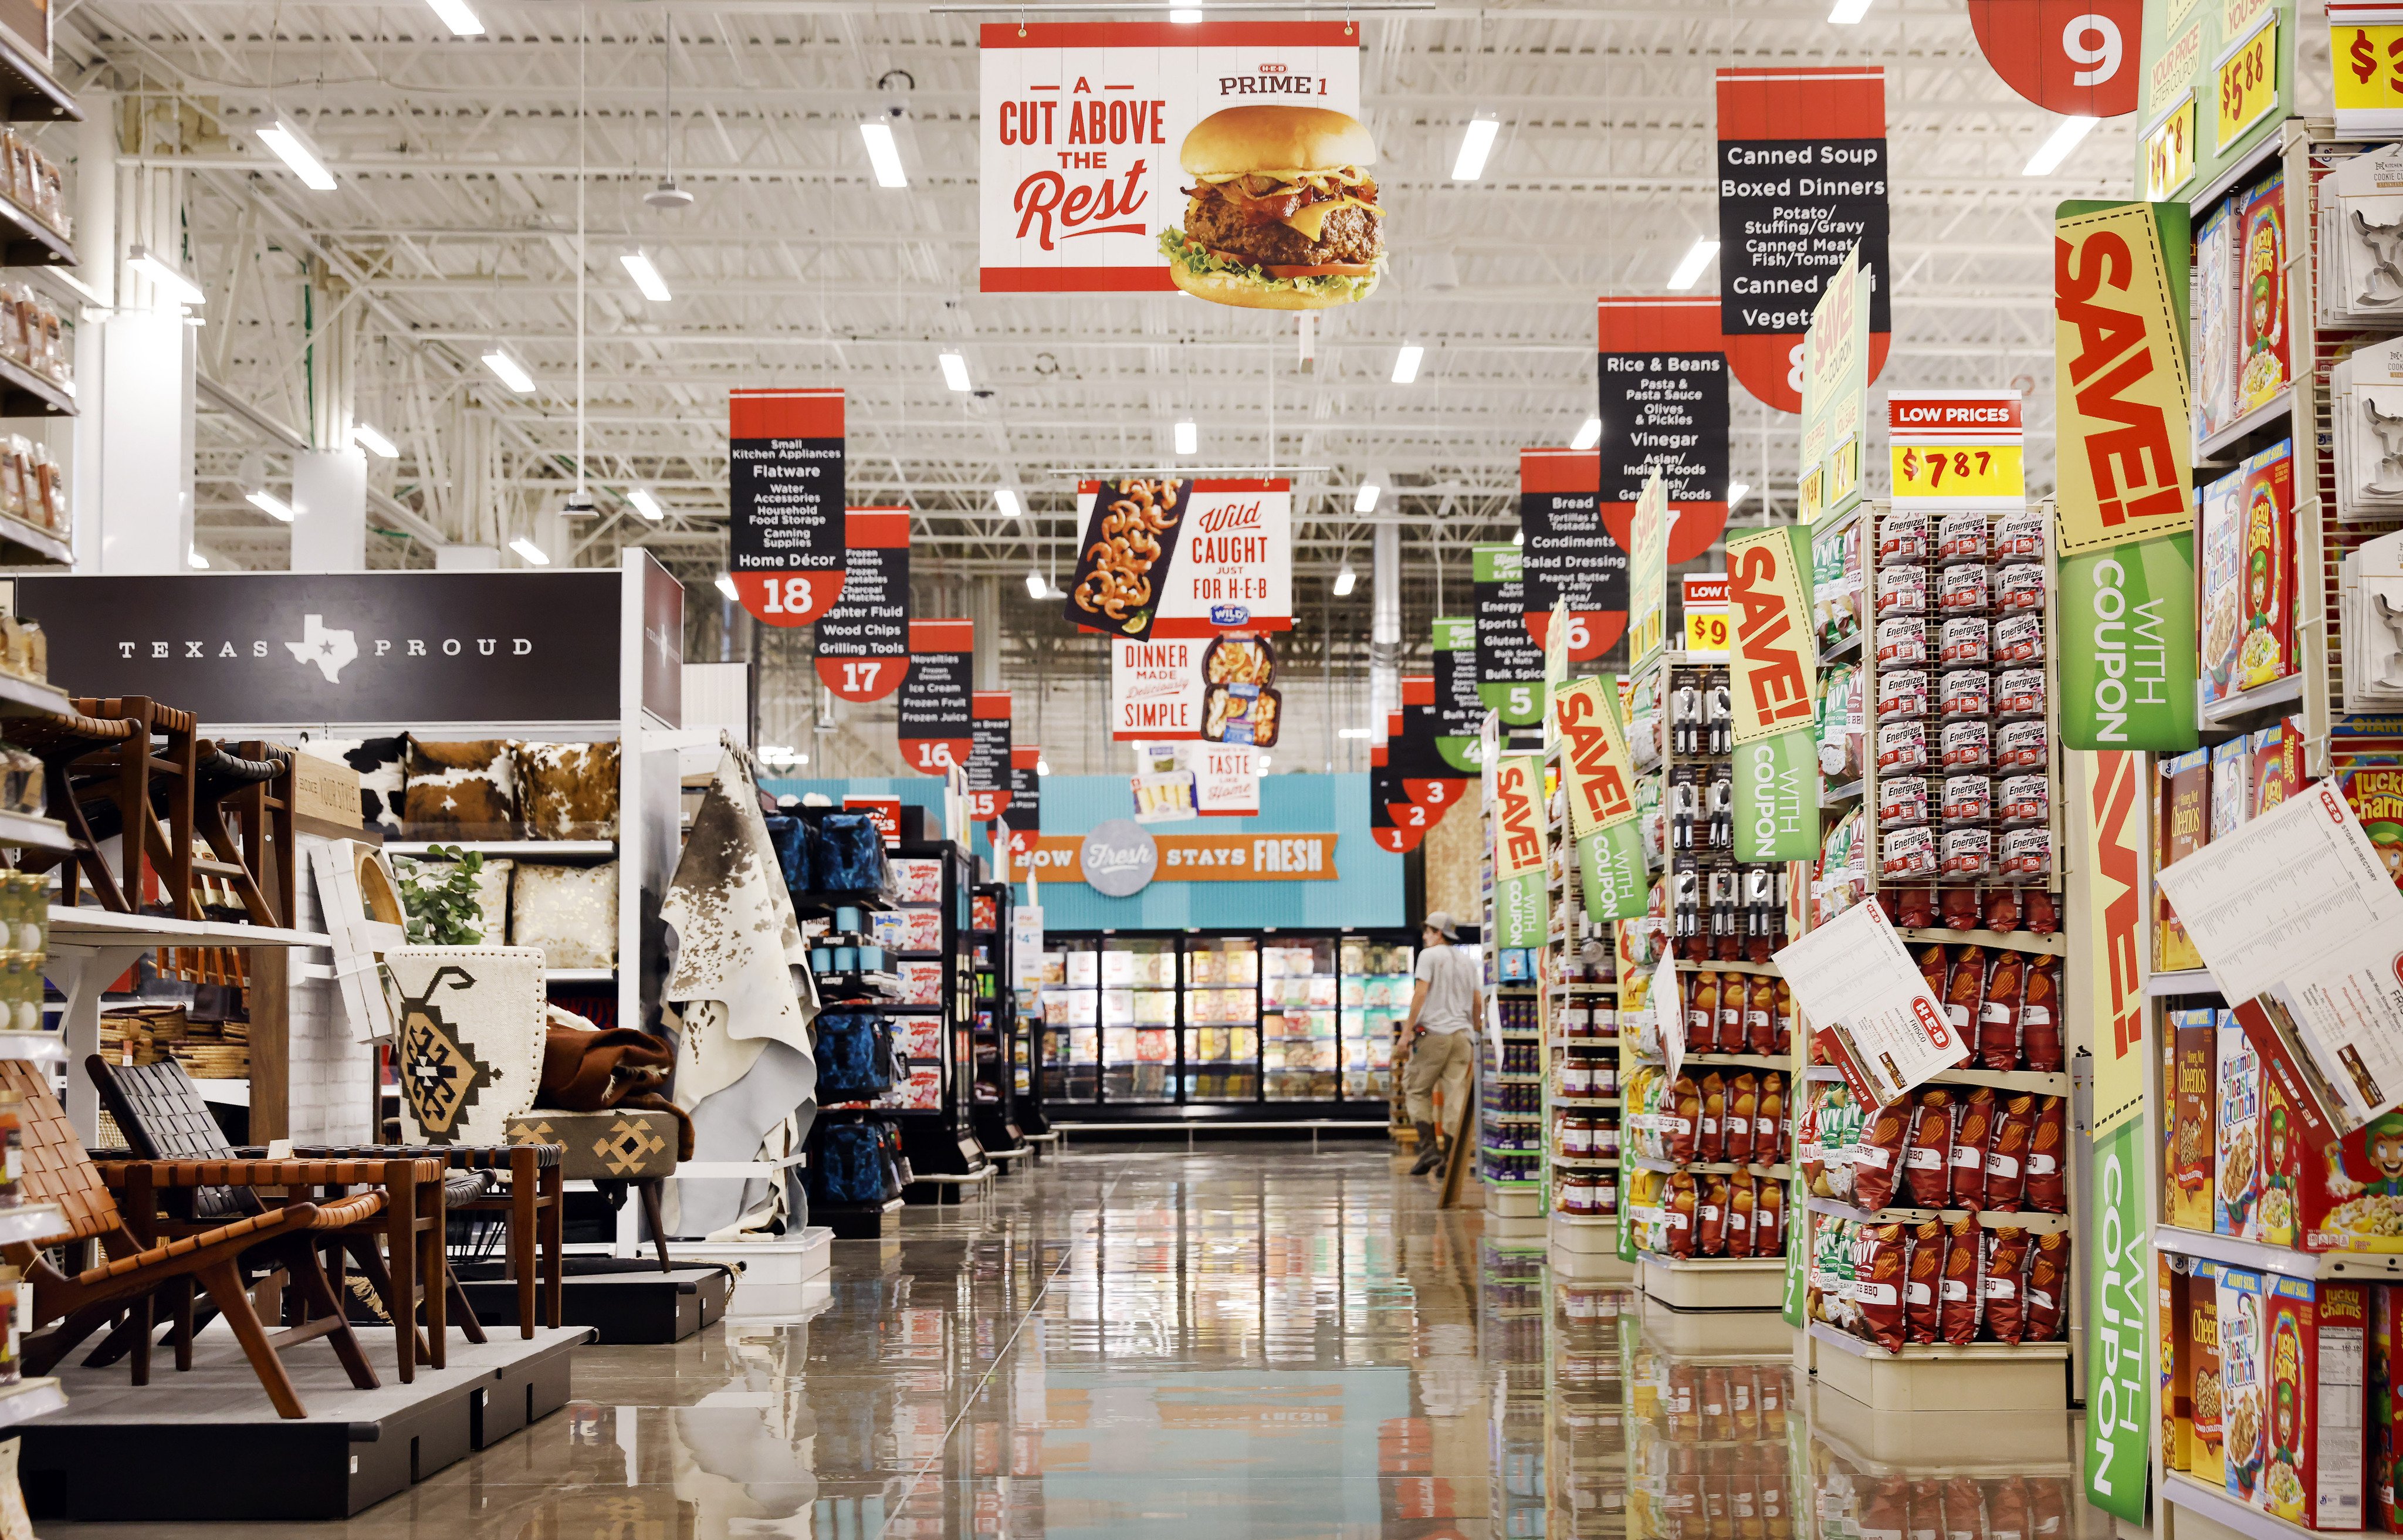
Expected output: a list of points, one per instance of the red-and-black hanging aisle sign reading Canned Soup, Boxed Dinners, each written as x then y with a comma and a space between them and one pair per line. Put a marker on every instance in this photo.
1801, 181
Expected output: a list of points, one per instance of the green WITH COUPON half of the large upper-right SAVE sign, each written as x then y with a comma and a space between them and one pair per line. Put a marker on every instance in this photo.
2128, 647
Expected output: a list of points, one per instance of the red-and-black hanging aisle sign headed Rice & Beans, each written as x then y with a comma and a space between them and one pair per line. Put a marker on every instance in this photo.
1664, 410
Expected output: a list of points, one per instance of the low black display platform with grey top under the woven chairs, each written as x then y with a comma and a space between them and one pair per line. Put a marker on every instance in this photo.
208, 1445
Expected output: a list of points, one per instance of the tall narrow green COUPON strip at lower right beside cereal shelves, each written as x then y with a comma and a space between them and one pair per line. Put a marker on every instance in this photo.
2118, 1363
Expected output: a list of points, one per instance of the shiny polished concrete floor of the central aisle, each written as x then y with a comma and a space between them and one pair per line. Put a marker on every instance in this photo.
1248, 1342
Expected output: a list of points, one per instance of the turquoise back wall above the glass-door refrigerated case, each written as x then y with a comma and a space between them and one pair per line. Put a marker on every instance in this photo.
1364, 895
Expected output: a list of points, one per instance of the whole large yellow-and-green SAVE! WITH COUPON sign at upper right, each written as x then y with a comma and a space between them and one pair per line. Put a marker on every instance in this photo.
2125, 477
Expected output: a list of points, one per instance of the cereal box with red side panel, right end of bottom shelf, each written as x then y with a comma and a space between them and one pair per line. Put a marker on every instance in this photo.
2315, 1402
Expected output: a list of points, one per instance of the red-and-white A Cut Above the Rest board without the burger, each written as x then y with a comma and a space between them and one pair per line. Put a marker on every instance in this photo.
1083, 126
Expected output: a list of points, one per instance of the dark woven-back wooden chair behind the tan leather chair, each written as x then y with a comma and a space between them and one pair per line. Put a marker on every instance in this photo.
162, 1116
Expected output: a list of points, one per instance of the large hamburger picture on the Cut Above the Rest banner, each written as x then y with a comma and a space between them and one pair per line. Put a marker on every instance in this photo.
1282, 210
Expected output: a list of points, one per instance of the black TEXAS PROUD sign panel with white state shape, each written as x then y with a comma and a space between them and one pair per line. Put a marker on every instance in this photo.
340, 647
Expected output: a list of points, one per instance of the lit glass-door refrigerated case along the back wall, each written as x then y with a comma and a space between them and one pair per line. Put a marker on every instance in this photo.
1222, 1022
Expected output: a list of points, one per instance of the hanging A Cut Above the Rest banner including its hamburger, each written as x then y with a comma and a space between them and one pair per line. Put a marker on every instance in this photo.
1222, 157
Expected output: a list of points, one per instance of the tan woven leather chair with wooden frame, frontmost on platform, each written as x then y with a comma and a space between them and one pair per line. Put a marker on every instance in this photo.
54, 1169
